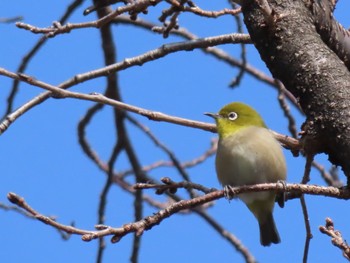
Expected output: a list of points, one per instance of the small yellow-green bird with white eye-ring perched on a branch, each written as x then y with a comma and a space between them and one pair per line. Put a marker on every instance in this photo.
249, 154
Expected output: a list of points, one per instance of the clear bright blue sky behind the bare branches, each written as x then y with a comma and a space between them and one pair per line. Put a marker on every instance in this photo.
42, 161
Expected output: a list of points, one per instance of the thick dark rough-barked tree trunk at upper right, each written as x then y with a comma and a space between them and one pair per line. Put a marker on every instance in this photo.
287, 36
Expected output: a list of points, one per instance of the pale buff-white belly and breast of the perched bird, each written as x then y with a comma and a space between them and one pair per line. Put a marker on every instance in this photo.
250, 156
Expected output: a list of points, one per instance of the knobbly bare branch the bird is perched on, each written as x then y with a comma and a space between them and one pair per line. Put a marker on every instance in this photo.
148, 222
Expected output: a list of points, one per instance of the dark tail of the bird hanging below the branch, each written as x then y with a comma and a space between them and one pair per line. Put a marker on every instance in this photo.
268, 230
